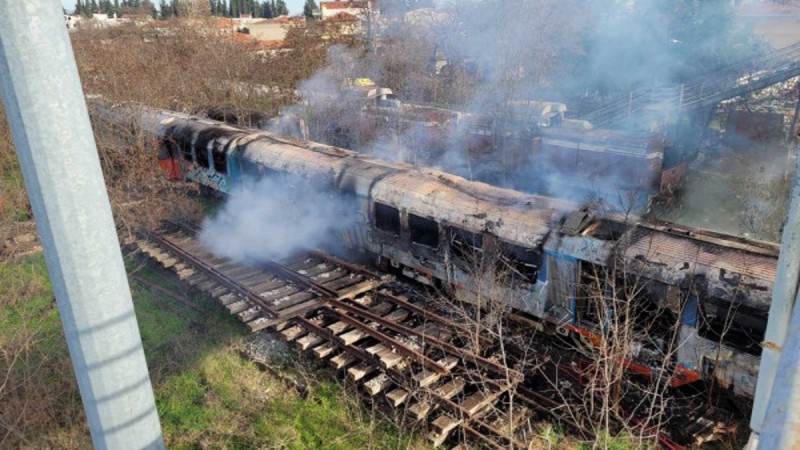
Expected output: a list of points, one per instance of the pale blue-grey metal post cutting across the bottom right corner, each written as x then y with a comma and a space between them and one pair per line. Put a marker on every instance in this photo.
781, 427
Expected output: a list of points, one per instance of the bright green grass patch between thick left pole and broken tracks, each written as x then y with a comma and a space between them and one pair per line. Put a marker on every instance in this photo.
227, 401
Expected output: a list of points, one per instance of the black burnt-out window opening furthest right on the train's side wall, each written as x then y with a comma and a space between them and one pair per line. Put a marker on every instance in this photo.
734, 325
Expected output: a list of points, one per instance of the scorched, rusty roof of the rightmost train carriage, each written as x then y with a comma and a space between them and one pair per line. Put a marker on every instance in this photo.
725, 266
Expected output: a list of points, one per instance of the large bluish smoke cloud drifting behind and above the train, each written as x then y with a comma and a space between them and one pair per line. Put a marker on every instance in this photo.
482, 58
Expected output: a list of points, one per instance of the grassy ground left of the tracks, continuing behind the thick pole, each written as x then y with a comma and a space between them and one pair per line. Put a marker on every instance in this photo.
207, 395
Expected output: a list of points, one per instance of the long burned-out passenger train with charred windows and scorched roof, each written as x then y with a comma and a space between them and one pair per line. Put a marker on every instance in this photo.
704, 296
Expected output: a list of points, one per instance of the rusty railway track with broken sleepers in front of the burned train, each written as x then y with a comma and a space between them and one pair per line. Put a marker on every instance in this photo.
395, 351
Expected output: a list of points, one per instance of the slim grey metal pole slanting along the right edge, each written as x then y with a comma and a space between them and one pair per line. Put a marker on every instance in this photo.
784, 292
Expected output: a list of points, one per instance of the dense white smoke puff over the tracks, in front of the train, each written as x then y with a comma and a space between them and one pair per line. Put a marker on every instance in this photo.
274, 217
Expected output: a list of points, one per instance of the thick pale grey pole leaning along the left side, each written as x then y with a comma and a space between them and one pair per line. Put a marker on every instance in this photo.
50, 125
